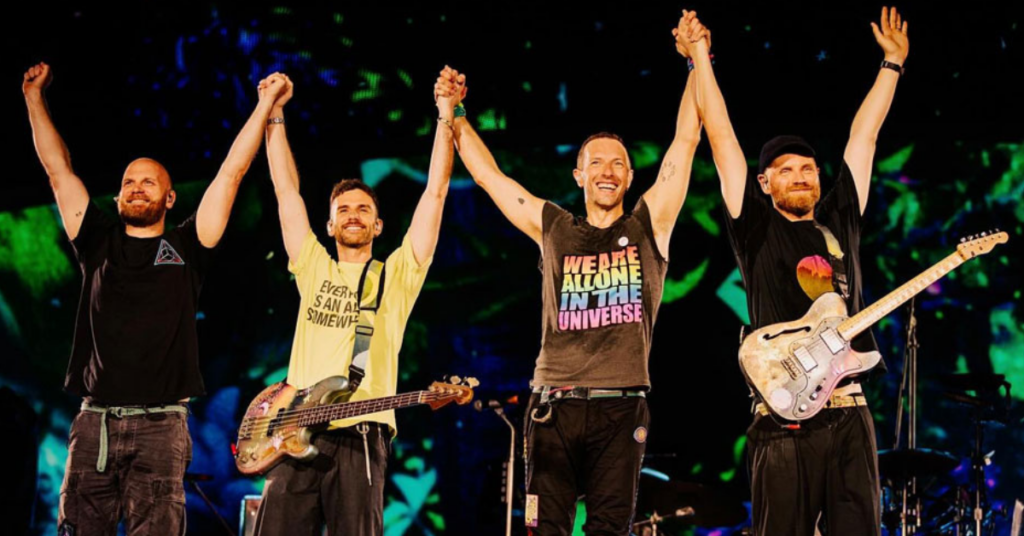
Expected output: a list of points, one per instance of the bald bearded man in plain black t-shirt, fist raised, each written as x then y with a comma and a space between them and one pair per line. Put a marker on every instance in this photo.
135, 360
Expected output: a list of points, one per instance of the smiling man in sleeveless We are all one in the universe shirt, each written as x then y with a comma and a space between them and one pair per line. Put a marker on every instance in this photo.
604, 277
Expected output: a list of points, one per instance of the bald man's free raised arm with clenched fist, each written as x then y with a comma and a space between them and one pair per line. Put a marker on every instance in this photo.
68, 188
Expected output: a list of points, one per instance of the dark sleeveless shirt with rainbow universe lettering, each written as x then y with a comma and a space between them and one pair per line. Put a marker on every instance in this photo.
603, 288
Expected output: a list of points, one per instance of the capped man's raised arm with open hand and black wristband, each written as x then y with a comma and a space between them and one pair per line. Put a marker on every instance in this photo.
860, 156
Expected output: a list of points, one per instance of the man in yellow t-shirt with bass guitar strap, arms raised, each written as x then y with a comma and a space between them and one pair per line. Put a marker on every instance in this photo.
344, 487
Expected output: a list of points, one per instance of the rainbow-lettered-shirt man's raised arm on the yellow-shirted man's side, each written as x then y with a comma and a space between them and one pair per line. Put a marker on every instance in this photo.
521, 208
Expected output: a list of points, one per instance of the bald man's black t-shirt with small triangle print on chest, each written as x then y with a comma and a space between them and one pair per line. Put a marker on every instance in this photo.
136, 336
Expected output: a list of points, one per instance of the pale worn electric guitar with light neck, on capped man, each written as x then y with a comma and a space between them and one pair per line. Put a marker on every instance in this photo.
795, 366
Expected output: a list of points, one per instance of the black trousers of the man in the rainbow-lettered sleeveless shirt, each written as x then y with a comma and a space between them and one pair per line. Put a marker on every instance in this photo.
593, 449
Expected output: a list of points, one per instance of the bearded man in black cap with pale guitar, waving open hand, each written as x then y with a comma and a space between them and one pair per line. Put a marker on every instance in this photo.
792, 249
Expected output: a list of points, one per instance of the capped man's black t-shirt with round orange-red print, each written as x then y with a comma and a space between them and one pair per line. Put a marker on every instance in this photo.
786, 265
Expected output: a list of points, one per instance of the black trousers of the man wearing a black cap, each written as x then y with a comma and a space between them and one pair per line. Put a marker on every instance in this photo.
827, 469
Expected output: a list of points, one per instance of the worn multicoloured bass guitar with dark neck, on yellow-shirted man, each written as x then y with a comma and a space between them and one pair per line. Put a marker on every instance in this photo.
282, 420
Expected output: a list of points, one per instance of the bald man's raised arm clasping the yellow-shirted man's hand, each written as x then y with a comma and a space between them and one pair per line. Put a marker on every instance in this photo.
216, 209
